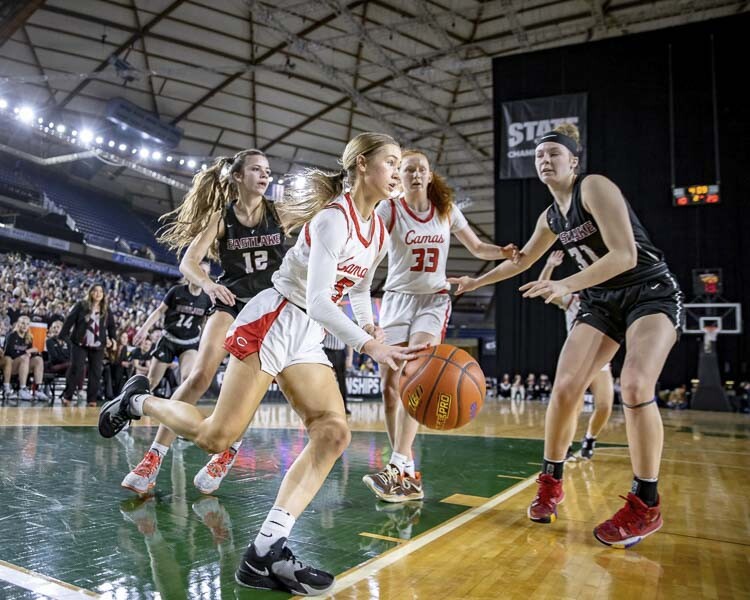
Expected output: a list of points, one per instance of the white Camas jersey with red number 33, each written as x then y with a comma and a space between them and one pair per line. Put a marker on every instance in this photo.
419, 248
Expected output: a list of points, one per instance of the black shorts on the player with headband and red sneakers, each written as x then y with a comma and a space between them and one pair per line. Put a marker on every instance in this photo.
613, 311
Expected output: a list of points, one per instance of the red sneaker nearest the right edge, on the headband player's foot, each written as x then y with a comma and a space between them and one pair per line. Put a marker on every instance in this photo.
631, 523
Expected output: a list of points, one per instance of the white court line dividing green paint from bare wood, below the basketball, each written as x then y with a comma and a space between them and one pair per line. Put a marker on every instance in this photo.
387, 559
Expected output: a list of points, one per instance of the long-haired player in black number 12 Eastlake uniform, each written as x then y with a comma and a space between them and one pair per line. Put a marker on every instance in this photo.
225, 216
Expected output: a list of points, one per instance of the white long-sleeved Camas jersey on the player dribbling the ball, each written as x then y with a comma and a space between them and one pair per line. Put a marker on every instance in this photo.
336, 253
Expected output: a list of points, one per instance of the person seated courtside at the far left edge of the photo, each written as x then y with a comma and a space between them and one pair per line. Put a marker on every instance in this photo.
19, 357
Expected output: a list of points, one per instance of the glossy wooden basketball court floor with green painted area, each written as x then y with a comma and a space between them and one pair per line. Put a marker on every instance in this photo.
67, 530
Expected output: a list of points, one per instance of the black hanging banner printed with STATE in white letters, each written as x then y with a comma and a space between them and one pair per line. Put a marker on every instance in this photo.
523, 121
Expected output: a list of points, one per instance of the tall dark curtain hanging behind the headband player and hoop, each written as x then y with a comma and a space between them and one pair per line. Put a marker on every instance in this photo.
627, 80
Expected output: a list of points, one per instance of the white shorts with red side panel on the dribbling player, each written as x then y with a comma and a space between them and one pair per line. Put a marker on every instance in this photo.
281, 333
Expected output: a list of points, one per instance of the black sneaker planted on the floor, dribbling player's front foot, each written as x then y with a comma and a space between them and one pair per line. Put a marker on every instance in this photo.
280, 570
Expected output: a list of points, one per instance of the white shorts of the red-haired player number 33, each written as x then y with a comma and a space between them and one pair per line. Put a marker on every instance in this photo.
403, 315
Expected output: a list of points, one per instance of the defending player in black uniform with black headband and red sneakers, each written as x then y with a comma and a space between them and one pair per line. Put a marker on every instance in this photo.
627, 295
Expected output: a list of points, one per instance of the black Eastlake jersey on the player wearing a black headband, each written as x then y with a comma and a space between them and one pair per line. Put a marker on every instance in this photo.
579, 234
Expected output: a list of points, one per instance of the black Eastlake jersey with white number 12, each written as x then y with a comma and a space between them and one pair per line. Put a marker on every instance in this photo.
250, 255
